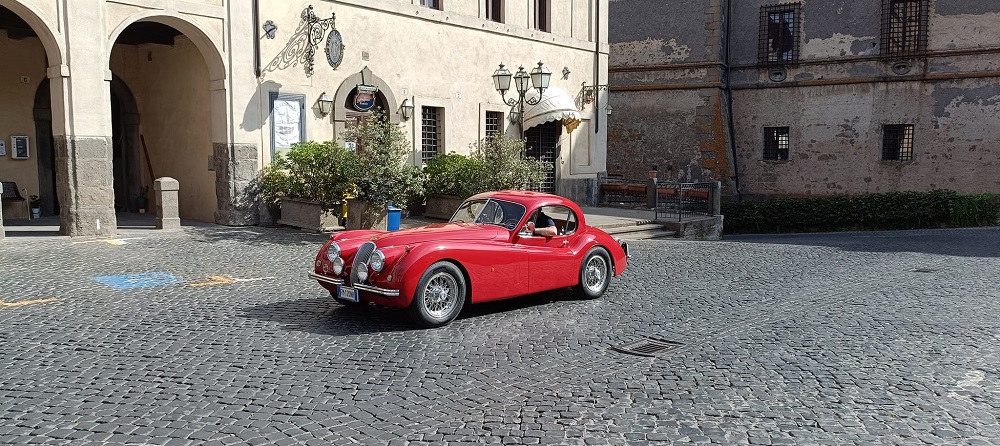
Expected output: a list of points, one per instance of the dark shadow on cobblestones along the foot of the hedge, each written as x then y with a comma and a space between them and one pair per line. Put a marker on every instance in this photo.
962, 242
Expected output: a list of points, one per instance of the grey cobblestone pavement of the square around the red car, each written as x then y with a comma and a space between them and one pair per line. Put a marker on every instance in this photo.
219, 338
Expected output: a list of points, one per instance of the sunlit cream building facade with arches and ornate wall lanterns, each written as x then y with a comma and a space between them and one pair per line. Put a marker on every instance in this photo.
114, 94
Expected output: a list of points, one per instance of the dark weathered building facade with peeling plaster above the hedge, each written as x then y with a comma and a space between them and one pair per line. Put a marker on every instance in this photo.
786, 98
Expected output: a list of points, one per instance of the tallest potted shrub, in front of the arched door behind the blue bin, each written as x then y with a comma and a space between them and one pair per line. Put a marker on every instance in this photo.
383, 176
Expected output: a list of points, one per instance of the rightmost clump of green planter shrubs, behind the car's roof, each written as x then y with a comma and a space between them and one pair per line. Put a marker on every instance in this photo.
495, 163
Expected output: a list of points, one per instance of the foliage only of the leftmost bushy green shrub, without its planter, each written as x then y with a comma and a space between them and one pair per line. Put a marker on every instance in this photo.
314, 171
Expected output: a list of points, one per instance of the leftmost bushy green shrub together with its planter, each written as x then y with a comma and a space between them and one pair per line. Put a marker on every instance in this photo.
307, 184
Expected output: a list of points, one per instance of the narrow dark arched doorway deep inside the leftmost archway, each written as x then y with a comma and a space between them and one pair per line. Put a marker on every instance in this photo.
46, 158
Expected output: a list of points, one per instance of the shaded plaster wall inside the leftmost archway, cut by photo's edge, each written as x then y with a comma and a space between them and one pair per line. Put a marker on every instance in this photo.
16, 116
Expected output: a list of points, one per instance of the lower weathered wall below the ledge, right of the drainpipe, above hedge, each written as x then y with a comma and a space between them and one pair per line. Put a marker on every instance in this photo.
836, 138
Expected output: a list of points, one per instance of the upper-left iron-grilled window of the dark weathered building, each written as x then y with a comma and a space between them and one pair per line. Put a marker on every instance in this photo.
779, 34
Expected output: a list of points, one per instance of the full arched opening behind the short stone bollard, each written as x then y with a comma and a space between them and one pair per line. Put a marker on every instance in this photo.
162, 74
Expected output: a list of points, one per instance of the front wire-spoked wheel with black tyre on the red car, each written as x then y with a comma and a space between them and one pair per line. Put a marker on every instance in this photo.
440, 295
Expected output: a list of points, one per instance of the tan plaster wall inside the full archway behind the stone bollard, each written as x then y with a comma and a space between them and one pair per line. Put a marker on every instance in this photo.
172, 92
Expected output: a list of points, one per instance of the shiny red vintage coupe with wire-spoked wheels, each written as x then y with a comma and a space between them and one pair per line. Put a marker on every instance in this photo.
490, 249
